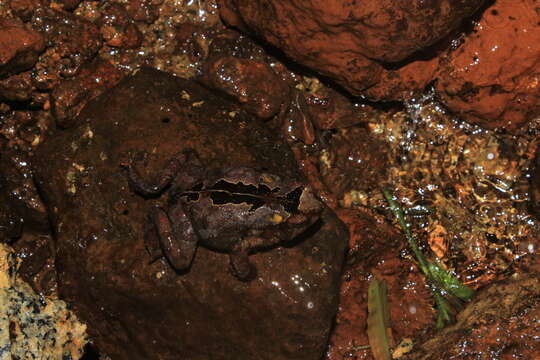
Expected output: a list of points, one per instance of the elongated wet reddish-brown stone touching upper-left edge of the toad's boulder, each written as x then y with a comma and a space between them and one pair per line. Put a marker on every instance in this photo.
70, 96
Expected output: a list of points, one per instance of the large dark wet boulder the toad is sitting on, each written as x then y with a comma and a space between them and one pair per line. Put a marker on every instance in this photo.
136, 308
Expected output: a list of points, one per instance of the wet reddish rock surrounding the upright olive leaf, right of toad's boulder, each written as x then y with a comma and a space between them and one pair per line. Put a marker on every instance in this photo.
375, 250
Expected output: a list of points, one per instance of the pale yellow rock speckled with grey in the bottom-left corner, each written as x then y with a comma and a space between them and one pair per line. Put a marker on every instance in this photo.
33, 326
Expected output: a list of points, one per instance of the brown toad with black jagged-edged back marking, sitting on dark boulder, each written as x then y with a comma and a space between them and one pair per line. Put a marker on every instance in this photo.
234, 210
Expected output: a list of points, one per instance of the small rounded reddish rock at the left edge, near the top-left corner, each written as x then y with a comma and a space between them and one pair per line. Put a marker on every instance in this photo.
19, 47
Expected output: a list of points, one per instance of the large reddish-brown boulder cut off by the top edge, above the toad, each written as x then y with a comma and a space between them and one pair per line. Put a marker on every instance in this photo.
345, 40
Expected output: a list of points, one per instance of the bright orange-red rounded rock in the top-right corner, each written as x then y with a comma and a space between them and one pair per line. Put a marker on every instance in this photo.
493, 79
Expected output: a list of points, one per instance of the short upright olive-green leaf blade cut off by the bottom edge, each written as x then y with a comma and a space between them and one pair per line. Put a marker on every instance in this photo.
378, 320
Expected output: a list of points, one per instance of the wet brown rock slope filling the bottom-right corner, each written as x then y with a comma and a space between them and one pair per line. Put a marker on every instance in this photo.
502, 322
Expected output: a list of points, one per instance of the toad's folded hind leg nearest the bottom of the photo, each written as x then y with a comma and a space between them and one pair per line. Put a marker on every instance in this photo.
176, 235
